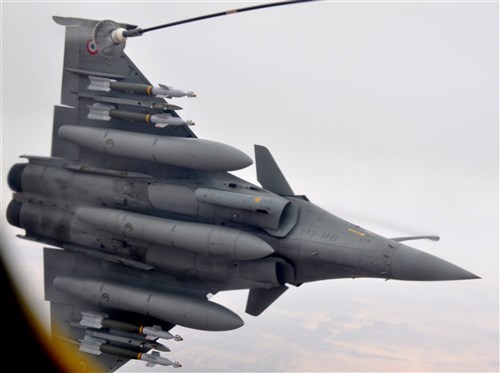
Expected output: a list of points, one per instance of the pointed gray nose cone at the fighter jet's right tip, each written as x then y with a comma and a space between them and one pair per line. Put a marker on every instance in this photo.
414, 265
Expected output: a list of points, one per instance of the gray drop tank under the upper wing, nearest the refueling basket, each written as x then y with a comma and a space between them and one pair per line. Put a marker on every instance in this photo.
193, 153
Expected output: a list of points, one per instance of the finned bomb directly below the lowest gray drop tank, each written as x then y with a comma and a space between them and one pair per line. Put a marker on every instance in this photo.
98, 321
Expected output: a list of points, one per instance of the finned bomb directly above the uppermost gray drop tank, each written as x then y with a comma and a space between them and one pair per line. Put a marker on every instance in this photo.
106, 112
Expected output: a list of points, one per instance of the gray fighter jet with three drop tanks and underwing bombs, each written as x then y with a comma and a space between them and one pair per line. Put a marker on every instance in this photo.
148, 221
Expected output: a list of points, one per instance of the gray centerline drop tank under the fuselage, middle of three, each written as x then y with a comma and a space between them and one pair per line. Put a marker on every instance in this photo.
196, 237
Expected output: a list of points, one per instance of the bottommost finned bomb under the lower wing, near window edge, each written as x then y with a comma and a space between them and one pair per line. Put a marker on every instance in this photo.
97, 346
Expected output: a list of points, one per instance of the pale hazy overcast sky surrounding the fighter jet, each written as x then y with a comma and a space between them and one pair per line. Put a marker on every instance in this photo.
383, 113
